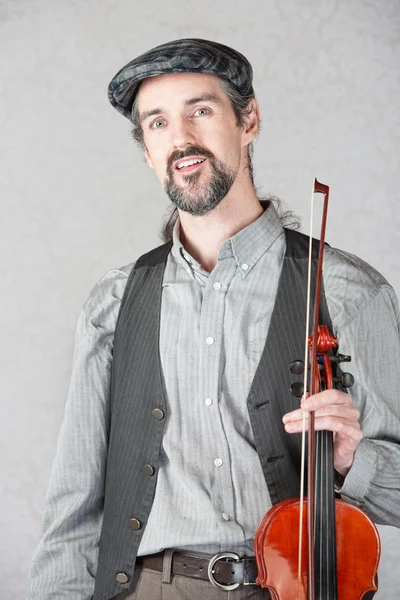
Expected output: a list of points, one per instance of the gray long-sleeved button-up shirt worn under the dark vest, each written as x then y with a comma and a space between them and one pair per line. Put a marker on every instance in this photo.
210, 492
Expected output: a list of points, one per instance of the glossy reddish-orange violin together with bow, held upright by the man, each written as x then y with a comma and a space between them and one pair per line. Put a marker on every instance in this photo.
318, 547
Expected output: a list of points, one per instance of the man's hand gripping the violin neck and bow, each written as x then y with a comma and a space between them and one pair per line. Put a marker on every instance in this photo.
334, 411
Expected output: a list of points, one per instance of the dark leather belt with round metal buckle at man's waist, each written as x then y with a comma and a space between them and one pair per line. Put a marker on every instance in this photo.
224, 570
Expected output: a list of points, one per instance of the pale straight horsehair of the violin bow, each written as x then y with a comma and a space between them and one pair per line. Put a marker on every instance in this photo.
303, 430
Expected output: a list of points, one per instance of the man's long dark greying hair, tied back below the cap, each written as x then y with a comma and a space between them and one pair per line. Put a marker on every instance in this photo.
241, 107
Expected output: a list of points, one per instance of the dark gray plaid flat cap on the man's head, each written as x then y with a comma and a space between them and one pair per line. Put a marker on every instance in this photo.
190, 55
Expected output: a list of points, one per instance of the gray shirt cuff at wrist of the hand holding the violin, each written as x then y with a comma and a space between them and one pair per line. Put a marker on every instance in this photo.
362, 472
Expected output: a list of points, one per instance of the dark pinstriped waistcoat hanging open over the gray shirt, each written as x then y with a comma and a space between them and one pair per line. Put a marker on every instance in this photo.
139, 405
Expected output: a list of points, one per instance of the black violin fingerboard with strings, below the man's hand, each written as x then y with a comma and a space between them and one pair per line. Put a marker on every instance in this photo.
325, 524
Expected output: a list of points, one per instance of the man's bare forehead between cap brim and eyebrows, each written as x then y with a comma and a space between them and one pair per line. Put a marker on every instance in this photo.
175, 88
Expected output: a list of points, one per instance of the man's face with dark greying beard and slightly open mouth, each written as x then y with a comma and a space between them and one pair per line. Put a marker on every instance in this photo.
192, 139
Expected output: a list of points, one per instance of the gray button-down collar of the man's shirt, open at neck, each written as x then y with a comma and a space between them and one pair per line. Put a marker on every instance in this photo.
247, 246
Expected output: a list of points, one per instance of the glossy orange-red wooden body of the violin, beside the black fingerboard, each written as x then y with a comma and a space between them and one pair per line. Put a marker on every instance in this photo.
276, 550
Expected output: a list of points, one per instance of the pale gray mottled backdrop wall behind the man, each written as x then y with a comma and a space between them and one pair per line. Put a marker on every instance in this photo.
77, 198
